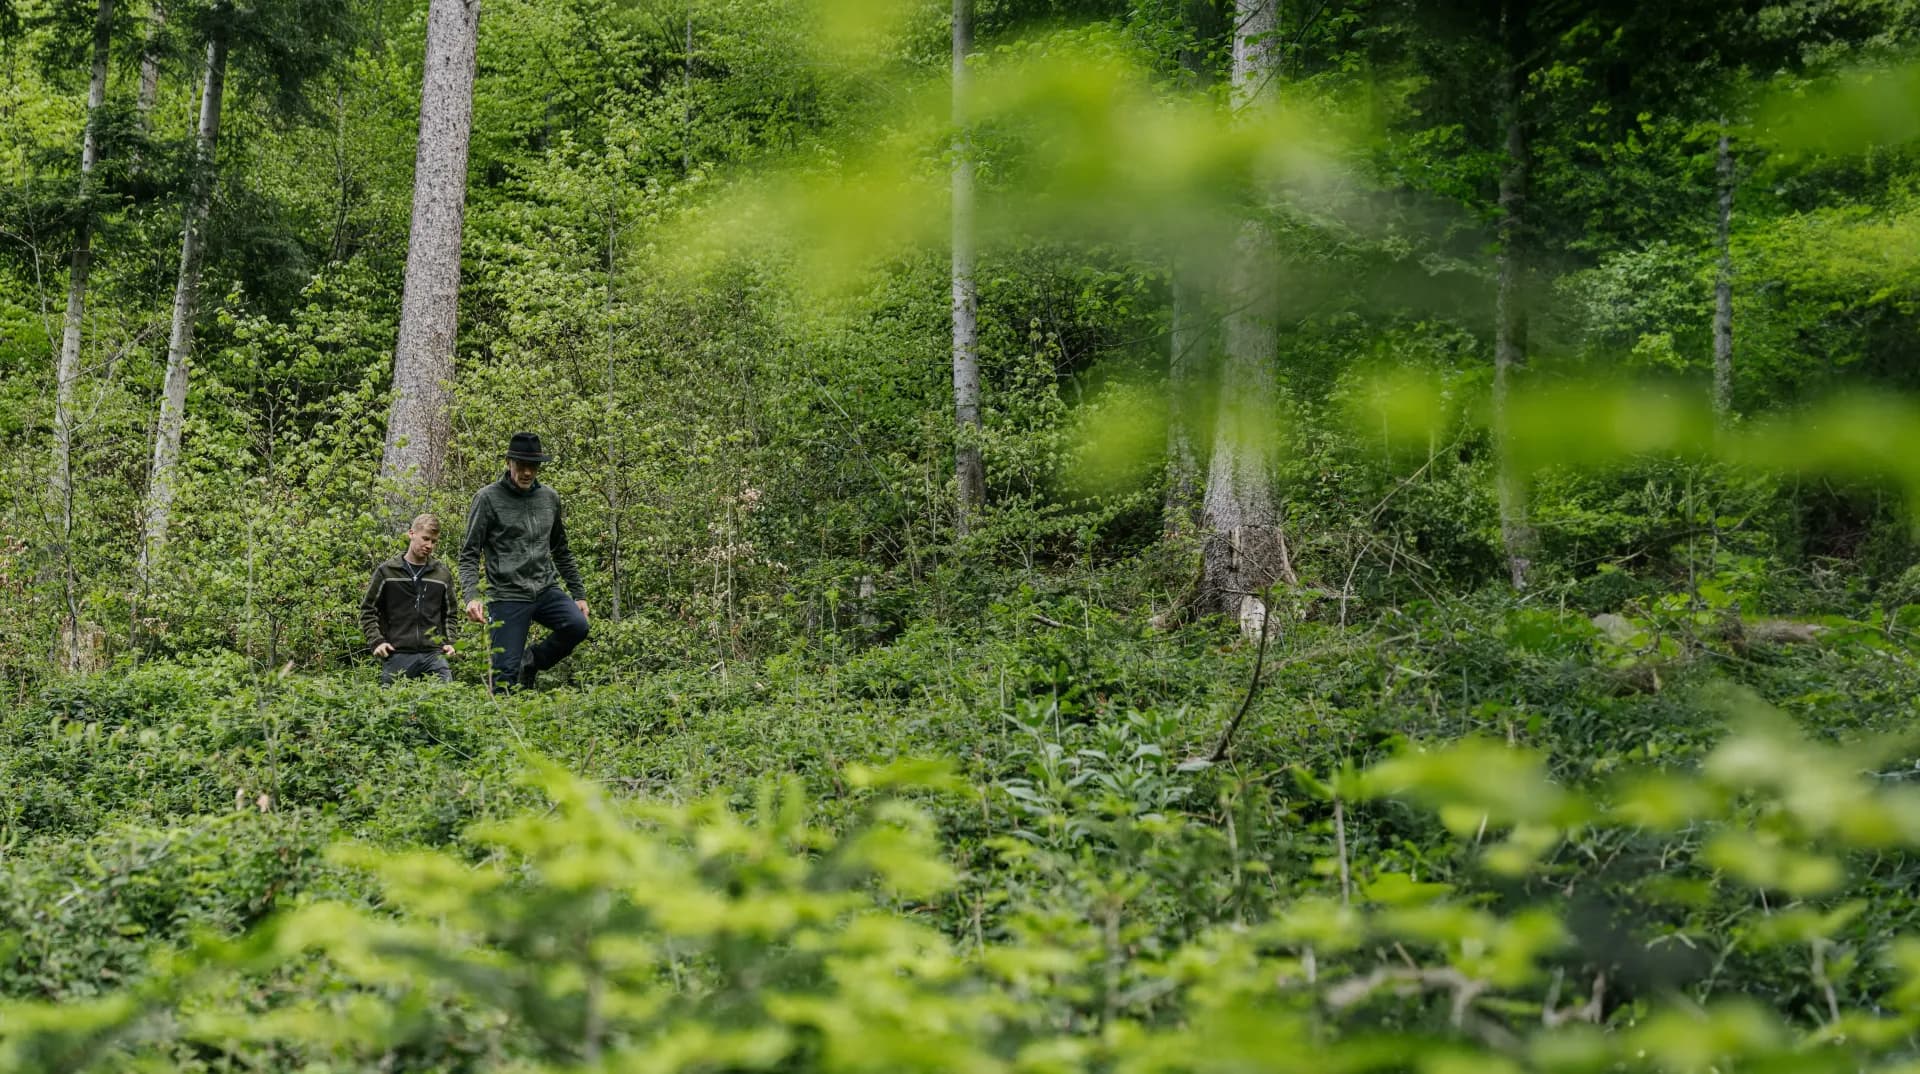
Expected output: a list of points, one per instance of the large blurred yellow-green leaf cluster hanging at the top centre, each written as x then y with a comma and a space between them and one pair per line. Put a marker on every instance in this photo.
1074, 141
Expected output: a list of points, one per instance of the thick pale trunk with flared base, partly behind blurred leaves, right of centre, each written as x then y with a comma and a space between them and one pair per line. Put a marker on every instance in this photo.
1245, 550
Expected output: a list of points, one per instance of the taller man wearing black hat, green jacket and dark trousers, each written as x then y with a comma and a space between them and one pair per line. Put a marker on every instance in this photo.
517, 525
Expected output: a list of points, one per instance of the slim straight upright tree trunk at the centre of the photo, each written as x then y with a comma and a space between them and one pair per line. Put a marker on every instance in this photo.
969, 470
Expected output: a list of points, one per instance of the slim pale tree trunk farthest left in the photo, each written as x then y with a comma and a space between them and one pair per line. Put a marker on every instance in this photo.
70, 339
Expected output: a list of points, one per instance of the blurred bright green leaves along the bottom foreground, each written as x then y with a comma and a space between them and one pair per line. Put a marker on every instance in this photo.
604, 935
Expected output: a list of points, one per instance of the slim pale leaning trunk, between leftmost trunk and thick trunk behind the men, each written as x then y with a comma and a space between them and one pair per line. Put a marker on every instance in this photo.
185, 308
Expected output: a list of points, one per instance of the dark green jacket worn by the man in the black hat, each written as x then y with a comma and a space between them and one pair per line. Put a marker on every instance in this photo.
523, 539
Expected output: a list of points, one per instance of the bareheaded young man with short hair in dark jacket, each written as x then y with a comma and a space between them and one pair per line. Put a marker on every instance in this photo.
408, 612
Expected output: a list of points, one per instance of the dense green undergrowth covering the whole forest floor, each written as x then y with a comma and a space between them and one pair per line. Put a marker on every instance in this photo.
1460, 833
